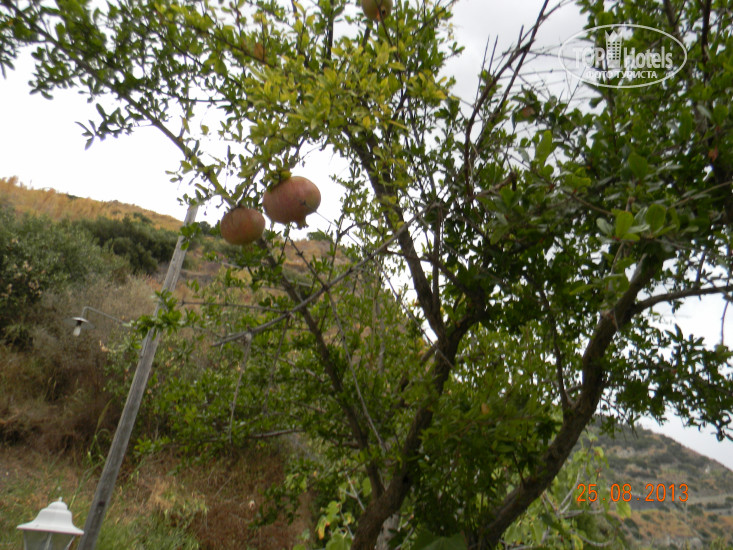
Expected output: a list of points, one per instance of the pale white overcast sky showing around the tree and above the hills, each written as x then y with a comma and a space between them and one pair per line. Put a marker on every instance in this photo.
42, 145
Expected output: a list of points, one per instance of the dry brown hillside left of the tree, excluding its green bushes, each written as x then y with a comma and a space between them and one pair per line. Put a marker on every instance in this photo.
58, 412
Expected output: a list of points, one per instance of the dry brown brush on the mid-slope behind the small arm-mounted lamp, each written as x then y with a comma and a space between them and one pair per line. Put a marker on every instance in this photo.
53, 395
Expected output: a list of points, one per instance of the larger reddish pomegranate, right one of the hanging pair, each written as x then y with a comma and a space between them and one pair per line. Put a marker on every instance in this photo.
291, 200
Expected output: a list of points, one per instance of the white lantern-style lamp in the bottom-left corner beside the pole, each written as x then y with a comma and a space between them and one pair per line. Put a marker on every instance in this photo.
51, 530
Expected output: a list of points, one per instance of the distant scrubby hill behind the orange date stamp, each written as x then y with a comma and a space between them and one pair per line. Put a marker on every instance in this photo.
645, 461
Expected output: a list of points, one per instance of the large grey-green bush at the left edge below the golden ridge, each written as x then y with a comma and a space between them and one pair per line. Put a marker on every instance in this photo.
36, 256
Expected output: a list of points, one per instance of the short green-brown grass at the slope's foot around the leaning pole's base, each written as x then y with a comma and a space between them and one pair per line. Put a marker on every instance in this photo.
211, 502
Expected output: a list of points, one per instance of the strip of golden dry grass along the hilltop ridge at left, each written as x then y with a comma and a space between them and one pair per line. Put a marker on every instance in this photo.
60, 206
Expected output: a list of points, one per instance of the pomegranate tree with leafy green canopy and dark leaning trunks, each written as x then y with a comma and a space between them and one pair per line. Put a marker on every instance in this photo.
537, 233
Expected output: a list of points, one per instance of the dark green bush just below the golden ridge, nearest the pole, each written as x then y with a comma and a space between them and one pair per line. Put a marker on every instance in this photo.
135, 239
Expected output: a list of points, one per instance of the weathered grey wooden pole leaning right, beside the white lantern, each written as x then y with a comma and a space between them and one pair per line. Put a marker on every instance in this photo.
121, 439
